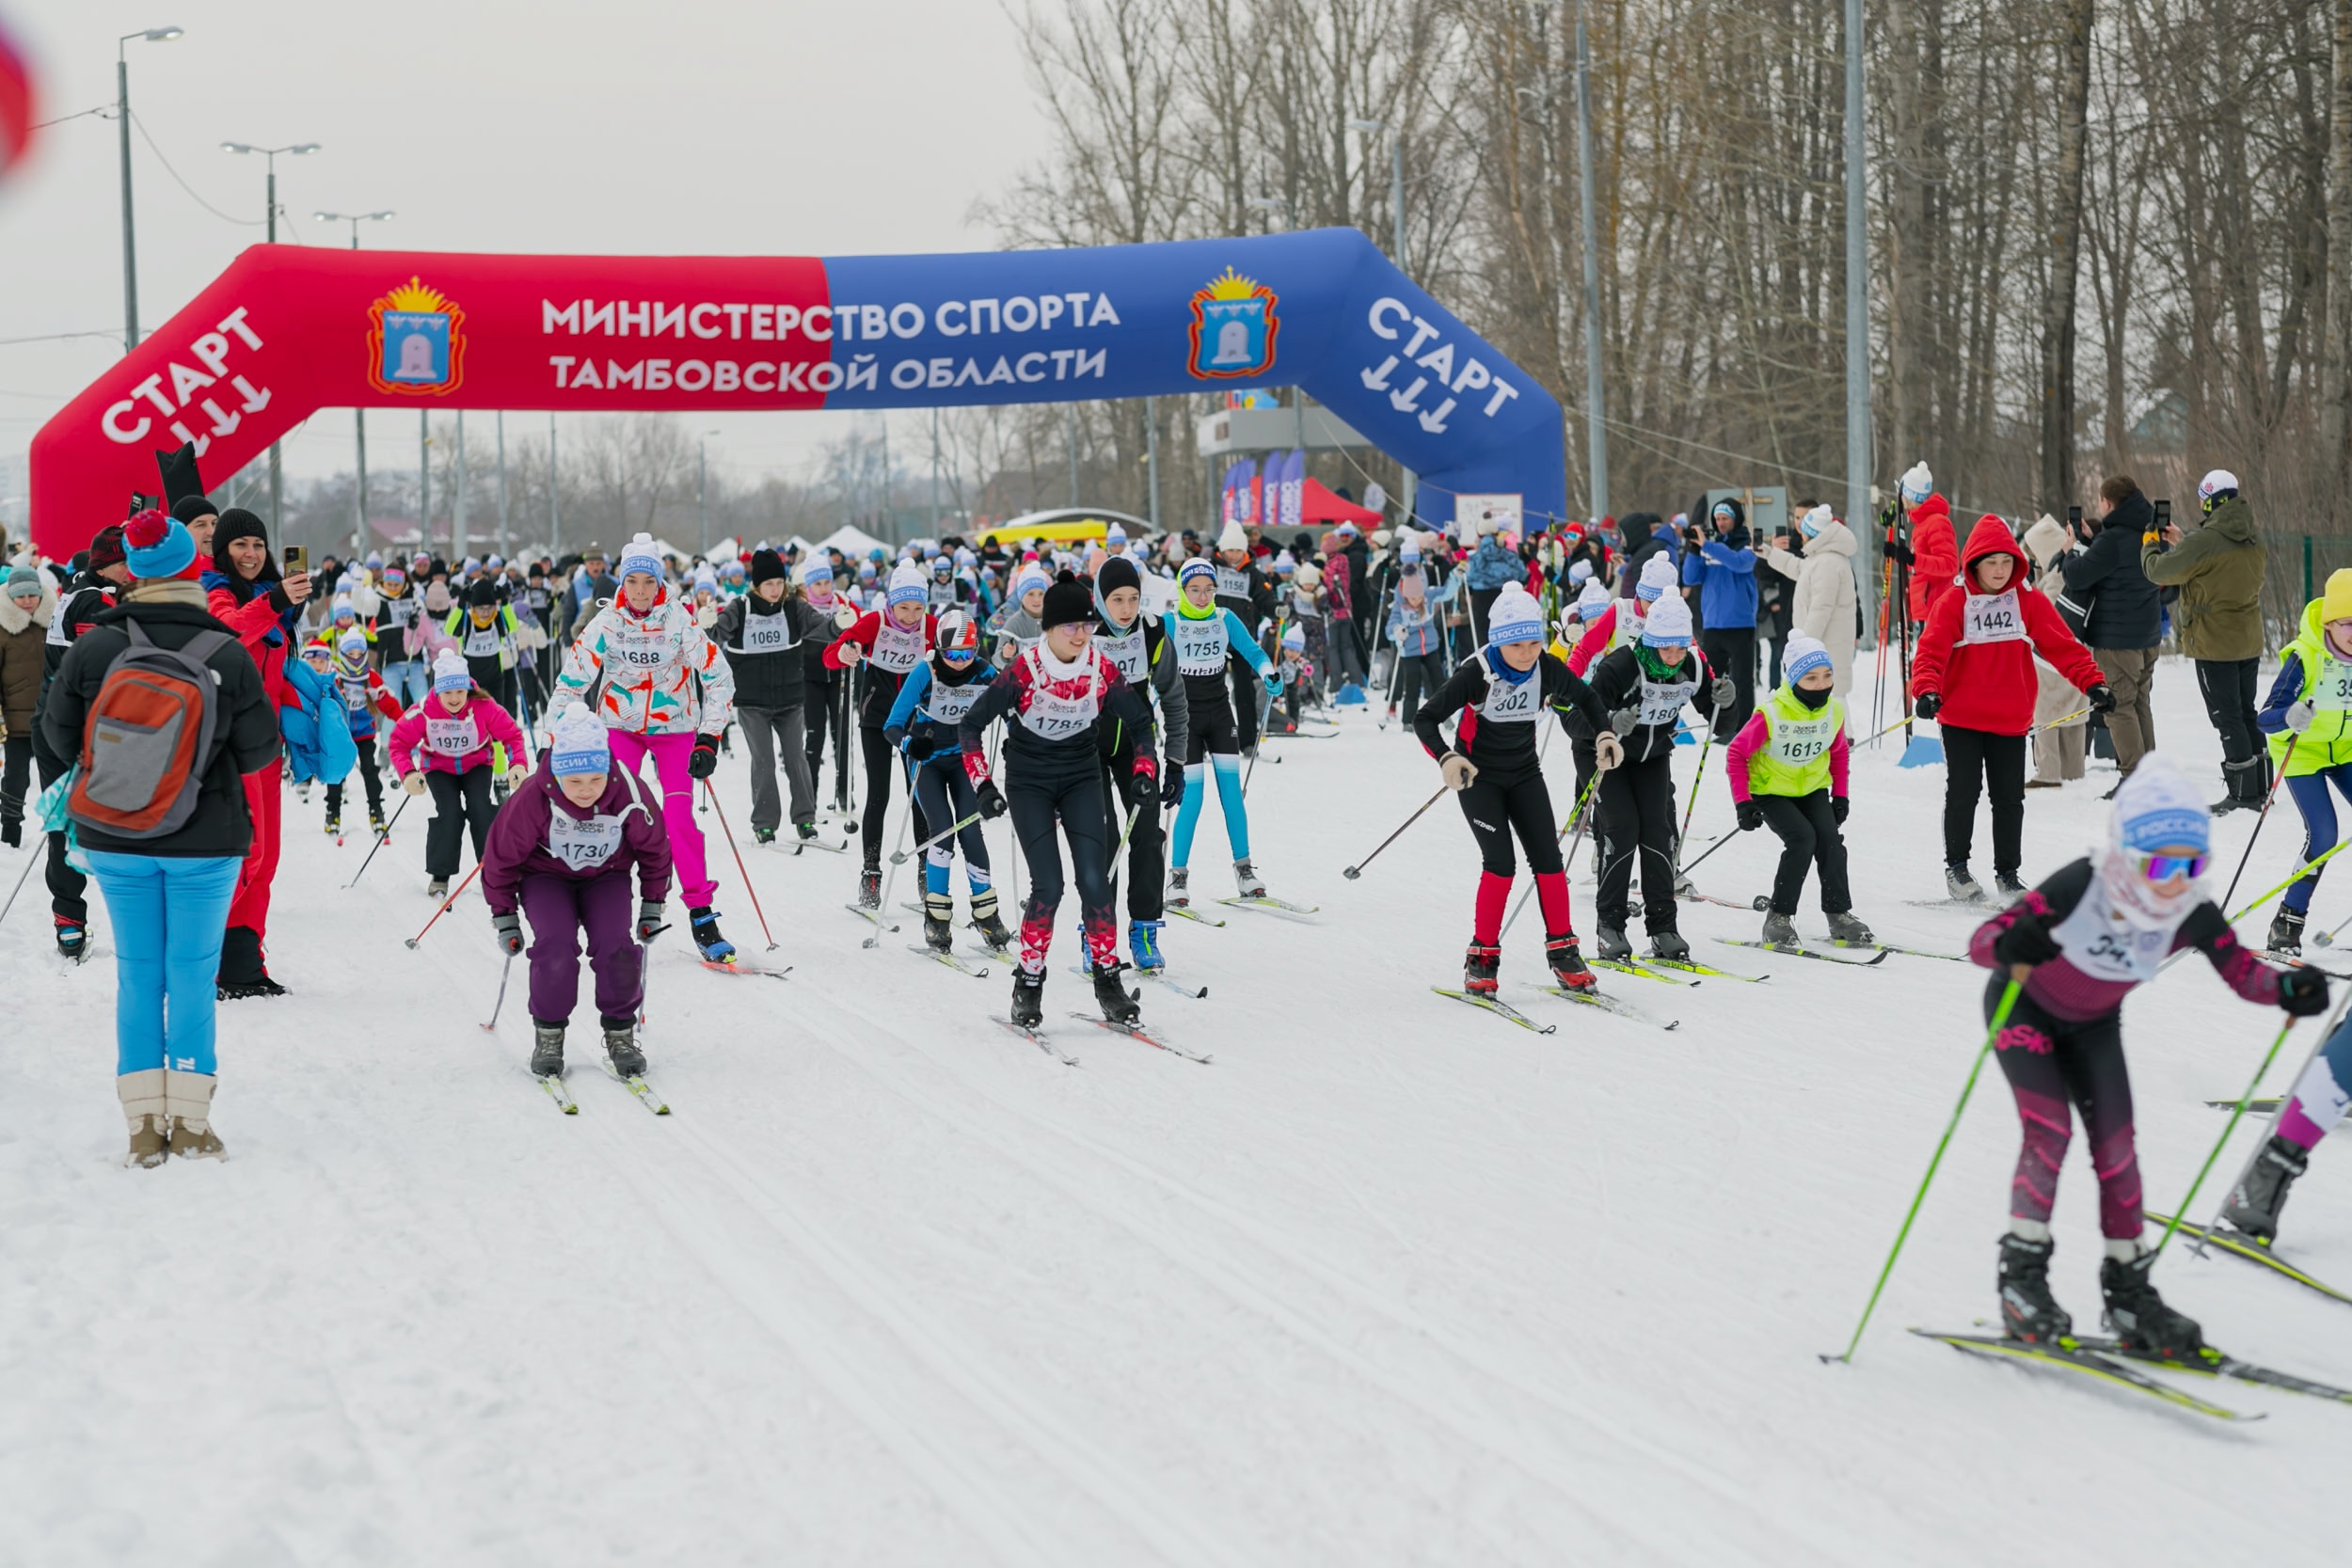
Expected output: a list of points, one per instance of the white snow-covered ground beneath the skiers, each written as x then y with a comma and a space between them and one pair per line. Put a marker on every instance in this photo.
1394, 1282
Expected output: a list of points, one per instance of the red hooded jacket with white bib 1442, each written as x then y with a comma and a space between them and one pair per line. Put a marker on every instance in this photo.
1989, 683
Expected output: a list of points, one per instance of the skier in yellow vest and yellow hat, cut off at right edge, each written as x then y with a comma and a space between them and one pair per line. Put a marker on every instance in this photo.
2311, 709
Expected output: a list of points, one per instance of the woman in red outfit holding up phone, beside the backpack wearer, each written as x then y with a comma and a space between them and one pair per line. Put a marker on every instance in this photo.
260, 605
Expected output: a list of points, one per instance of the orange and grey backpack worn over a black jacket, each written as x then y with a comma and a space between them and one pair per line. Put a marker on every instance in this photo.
147, 737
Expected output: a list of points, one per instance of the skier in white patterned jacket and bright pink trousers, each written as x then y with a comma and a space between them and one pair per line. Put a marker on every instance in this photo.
667, 697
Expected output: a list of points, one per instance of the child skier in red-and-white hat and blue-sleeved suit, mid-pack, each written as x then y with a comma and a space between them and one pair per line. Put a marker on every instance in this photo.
926, 730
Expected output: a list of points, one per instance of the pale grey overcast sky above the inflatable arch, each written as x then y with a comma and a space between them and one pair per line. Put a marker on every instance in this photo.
754, 128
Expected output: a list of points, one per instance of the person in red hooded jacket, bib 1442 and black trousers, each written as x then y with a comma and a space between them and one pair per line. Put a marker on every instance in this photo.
1975, 674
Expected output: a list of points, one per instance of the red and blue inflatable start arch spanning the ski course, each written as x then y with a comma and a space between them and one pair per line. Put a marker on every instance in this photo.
288, 330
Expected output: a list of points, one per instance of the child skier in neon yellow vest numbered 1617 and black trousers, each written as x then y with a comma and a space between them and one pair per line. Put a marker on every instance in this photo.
1789, 770
